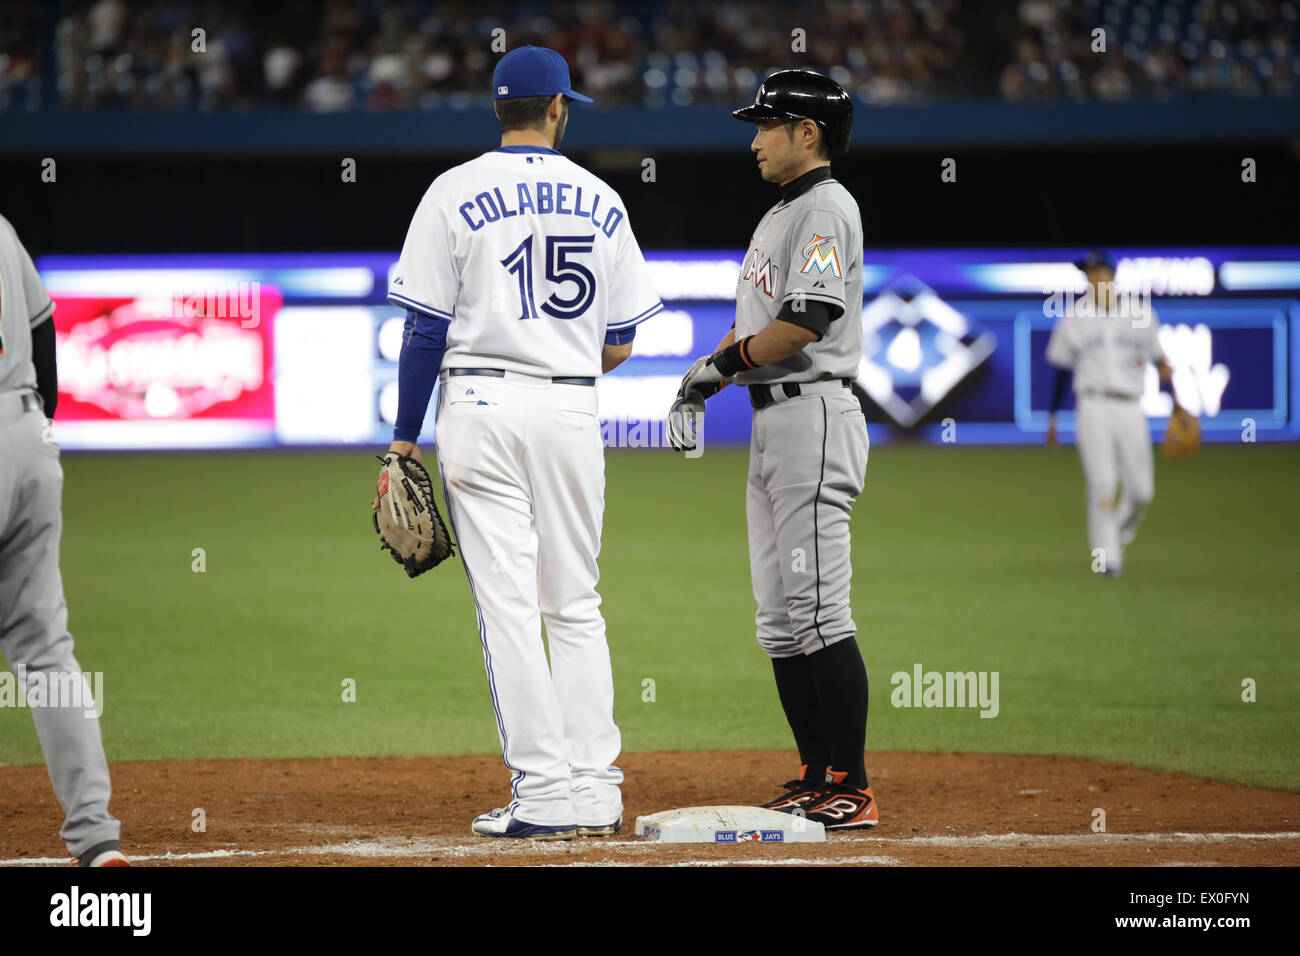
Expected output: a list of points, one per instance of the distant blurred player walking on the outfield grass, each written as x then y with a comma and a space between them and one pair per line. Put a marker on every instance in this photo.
1107, 339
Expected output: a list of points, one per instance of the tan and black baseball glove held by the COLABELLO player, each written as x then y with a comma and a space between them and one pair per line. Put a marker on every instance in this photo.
408, 517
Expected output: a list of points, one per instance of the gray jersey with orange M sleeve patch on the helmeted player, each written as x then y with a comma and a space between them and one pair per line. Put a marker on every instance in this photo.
811, 249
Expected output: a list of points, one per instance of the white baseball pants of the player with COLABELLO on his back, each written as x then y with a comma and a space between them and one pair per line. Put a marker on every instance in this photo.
523, 471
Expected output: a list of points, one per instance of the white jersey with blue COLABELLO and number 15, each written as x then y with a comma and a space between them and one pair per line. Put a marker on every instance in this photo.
534, 261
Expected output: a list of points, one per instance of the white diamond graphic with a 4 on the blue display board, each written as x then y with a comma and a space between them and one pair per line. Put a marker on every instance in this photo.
916, 349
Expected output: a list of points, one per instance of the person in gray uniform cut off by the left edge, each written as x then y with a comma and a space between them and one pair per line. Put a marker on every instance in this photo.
33, 615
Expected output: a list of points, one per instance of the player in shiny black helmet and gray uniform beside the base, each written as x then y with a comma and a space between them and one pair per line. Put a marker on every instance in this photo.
796, 344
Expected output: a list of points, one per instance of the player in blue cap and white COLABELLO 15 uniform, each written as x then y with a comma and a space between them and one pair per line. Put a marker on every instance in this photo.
525, 283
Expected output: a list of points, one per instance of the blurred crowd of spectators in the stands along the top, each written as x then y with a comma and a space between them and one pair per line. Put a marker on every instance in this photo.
340, 55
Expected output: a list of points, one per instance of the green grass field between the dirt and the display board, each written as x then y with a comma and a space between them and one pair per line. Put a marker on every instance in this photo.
964, 560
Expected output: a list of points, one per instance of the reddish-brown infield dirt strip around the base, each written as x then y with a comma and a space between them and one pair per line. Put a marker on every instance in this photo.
935, 810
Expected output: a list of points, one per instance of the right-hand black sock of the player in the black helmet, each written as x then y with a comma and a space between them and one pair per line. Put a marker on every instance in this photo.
840, 680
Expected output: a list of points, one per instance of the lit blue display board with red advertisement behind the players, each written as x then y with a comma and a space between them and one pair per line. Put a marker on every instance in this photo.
954, 345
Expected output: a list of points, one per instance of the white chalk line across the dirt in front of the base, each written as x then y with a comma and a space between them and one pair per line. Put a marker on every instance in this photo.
467, 850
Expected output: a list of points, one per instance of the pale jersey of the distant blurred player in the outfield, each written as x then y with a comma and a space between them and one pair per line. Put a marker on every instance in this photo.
1107, 351
